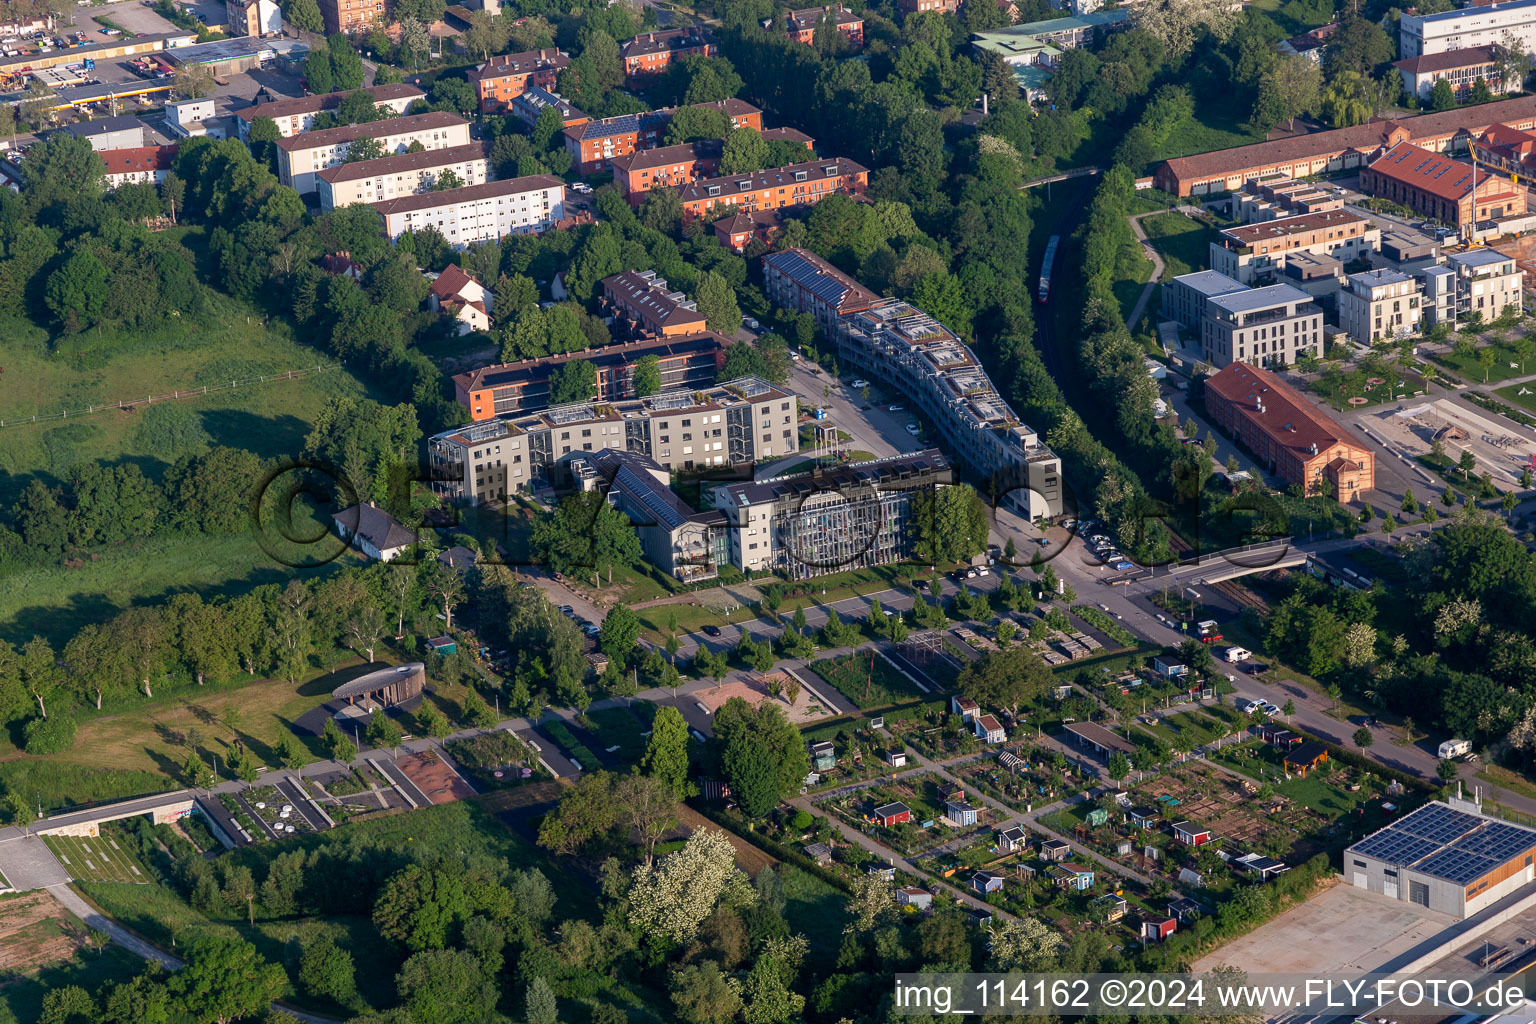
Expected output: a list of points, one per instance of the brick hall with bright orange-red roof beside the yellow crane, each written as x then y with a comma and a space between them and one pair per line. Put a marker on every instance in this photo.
1442, 188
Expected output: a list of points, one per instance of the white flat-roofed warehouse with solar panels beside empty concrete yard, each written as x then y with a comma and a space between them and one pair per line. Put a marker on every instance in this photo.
1445, 859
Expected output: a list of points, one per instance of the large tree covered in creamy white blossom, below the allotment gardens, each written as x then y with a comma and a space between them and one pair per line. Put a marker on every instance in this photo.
677, 894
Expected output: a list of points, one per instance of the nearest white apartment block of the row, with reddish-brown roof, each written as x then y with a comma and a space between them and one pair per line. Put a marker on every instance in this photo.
480, 213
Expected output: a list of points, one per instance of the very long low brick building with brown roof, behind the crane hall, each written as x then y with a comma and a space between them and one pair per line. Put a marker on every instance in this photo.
1340, 150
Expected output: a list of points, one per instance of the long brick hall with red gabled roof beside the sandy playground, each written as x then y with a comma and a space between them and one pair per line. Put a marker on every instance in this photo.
1286, 432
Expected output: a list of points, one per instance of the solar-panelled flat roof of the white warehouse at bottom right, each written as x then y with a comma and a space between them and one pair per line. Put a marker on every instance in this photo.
1448, 844
